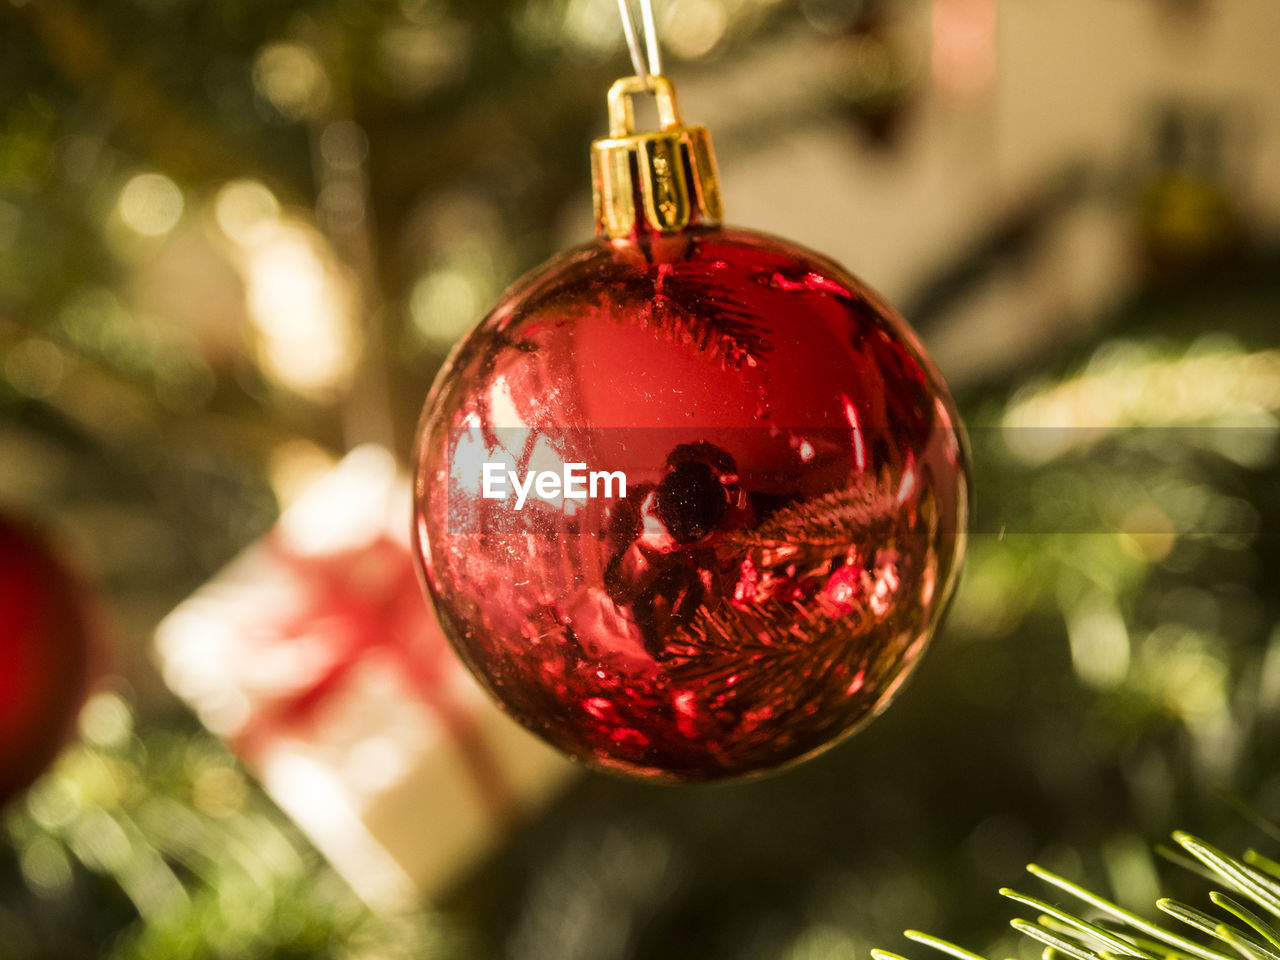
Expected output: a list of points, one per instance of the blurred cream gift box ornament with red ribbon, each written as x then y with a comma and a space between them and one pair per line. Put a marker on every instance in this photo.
318, 659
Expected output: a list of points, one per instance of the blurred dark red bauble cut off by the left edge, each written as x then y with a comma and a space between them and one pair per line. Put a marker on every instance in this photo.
44, 657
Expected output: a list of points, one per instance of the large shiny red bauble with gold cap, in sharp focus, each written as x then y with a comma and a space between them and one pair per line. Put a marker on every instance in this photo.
796, 487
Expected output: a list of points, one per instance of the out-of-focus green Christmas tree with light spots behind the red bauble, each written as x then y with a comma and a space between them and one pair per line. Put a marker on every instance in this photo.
236, 239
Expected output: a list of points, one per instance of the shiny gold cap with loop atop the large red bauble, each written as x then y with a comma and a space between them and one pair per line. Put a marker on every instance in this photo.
664, 180
